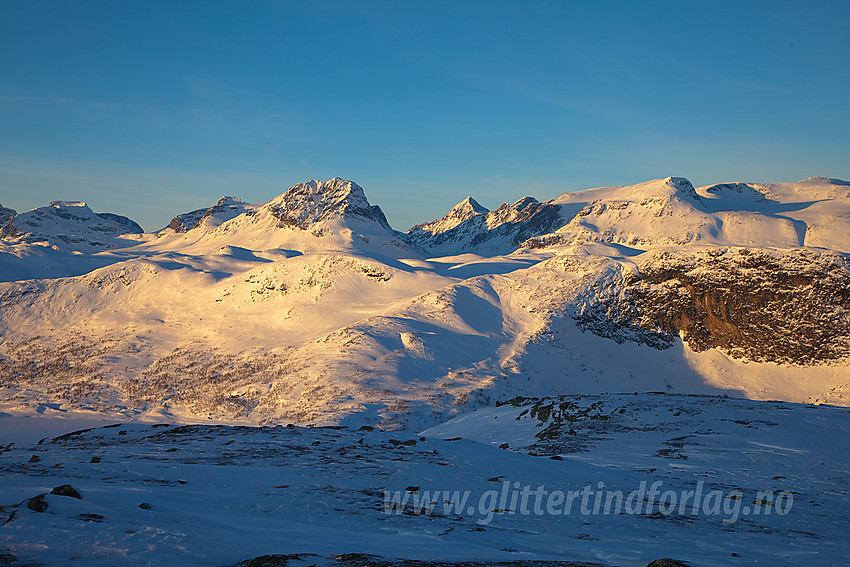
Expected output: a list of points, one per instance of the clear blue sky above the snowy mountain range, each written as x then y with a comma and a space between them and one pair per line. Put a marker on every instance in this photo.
151, 108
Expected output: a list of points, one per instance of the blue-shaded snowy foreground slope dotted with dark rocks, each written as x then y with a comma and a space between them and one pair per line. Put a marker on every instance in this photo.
764, 483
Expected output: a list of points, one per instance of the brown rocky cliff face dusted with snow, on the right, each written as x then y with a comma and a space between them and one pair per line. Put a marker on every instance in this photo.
770, 306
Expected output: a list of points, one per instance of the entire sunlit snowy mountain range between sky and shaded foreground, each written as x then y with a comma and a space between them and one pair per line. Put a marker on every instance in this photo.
310, 308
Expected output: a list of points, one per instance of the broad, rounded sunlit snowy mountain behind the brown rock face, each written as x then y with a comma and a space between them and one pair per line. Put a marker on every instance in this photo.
814, 212
